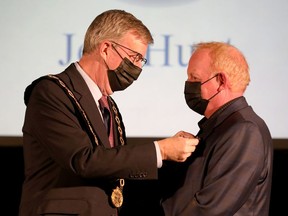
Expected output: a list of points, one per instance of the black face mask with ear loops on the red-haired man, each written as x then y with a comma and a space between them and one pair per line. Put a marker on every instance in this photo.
193, 96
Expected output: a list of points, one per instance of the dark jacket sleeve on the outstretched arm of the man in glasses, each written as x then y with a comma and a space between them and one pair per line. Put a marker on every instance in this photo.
53, 122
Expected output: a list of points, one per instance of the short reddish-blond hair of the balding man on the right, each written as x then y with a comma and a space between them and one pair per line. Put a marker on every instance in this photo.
227, 59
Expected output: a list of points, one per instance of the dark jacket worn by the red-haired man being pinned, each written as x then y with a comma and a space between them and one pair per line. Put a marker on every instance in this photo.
229, 173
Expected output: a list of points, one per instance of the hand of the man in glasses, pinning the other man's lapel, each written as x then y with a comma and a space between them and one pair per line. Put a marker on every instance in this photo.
179, 147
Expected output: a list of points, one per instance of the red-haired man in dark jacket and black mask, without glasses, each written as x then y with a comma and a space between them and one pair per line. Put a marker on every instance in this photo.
230, 172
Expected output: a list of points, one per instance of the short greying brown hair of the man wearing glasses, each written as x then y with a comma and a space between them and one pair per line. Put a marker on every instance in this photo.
113, 25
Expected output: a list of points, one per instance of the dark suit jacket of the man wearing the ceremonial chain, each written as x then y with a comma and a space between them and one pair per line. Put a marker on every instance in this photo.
65, 171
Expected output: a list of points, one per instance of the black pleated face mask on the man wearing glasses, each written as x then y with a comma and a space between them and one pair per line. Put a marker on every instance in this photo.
124, 75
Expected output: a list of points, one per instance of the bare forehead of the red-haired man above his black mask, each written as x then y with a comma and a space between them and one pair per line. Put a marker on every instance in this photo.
199, 64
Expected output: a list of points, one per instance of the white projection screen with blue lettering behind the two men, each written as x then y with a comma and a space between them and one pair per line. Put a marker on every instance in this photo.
42, 37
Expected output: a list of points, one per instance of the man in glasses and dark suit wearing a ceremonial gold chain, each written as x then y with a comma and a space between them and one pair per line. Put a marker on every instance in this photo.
74, 165
